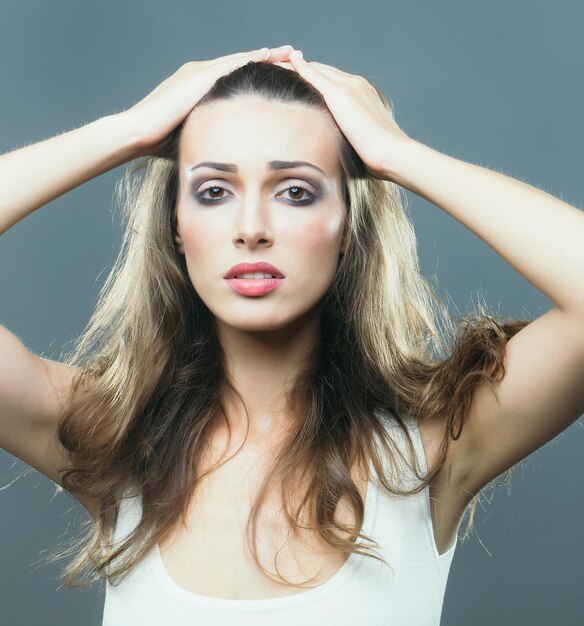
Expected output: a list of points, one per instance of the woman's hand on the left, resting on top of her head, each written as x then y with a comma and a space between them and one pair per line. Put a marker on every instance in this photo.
154, 117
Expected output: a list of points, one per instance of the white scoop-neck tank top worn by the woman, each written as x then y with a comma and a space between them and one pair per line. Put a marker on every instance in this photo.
363, 592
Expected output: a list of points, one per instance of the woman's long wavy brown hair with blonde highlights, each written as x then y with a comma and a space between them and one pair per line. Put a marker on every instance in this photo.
149, 365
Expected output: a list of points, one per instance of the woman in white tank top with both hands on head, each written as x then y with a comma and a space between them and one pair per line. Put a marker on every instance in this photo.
207, 407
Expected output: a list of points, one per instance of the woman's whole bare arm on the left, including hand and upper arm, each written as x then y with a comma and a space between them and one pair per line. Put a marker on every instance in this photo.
32, 387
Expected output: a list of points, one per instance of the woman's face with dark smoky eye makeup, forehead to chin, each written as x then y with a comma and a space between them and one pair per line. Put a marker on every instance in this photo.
291, 217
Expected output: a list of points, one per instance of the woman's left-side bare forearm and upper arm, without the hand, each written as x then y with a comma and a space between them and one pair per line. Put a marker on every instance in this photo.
31, 387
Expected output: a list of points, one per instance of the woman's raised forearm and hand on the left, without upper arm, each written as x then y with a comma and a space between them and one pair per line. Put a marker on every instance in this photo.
36, 174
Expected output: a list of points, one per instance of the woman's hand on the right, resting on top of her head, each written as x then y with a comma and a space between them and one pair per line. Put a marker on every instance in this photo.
359, 112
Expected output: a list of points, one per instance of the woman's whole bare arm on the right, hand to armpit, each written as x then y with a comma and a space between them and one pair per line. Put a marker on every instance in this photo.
541, 393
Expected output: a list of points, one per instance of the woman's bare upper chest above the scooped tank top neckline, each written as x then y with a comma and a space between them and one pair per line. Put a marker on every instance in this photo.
210, 555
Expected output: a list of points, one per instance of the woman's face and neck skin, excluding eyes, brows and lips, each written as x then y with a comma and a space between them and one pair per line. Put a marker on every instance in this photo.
254, 218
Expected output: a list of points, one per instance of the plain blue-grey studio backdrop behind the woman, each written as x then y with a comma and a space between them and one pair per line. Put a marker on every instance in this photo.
498, 84
